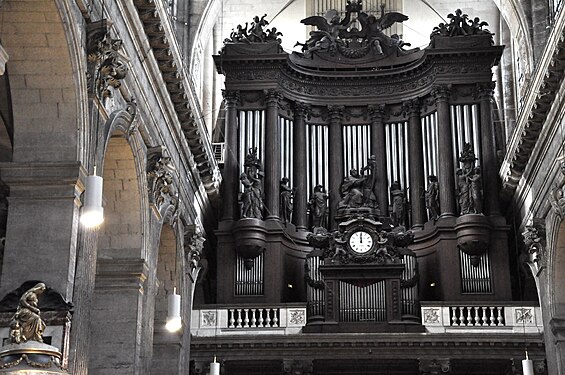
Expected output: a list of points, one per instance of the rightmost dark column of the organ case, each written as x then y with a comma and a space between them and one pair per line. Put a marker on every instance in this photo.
488, 151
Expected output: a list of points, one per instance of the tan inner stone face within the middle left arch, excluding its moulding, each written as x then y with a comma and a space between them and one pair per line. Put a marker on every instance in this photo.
120, 271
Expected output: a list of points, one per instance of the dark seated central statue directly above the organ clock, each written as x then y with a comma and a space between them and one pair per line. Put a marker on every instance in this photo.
357, 189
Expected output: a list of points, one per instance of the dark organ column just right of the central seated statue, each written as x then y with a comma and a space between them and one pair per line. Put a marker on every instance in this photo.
378, 148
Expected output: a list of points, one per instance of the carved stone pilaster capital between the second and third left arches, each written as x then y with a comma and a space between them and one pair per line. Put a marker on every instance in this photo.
162, 182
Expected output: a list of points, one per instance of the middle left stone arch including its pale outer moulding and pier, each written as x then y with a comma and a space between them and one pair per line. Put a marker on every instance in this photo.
123, 243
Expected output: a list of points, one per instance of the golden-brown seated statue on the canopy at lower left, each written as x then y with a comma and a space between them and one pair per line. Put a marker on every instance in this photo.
26, 324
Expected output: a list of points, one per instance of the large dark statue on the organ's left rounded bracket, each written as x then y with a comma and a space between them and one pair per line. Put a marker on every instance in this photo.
252, 196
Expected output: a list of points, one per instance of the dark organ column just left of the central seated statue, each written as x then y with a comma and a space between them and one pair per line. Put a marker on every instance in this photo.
336, 173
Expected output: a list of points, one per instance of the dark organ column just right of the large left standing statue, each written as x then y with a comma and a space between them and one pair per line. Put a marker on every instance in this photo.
272, 155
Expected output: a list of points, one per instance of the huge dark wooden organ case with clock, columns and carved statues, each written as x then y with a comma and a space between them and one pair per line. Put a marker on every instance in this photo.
360, 176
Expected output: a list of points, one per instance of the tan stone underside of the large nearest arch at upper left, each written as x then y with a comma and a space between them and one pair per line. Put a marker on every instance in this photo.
47, 88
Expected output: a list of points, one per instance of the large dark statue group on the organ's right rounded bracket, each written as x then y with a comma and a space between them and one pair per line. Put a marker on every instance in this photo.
469, 183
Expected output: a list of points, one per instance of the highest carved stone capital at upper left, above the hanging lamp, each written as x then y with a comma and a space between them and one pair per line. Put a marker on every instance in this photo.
106, 65
